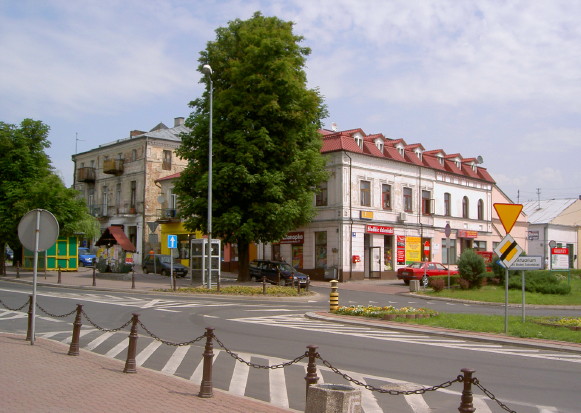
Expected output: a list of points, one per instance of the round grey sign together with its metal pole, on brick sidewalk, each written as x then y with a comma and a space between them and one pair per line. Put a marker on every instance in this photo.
37, 230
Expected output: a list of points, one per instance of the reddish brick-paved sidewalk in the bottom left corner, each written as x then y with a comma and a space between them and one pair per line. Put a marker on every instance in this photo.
43, 378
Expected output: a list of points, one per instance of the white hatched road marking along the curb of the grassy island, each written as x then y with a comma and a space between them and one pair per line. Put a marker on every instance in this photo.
298, 321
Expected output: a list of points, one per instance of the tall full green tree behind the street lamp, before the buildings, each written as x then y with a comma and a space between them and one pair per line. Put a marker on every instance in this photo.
267, 162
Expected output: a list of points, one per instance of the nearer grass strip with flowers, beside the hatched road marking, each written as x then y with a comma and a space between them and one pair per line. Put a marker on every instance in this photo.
495, 324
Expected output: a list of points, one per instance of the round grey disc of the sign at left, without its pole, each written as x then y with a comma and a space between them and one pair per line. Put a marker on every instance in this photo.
42, 221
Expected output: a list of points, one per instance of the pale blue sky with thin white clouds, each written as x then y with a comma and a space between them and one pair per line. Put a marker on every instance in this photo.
499, 79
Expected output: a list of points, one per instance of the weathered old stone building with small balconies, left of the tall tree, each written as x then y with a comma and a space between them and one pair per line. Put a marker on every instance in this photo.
118, 182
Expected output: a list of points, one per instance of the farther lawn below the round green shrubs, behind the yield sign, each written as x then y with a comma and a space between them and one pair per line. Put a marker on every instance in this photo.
495, 294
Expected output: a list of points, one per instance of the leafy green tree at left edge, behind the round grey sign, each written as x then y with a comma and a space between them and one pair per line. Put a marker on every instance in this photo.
28, 181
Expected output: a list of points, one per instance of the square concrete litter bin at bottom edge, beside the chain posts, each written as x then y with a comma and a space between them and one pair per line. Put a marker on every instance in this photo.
333, 398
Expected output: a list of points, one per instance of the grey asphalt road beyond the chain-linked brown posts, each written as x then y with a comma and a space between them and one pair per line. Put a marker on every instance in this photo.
270, 330
